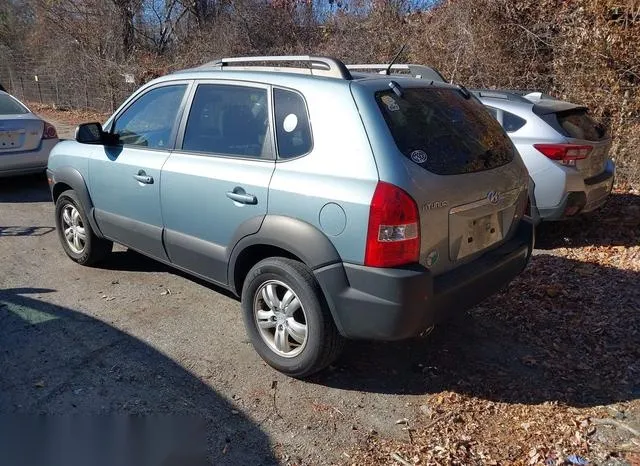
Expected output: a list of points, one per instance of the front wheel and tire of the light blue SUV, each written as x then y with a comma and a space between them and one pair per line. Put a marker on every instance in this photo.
76, 235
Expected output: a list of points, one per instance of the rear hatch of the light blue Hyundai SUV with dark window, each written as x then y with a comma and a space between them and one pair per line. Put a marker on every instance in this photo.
459, 166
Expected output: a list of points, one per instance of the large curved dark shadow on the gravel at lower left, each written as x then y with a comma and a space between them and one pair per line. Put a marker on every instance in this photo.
59, 361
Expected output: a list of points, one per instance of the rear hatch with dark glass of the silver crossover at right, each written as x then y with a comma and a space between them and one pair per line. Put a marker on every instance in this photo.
579, 128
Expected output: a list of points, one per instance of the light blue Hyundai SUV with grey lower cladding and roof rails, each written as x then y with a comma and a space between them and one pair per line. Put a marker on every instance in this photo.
335, 204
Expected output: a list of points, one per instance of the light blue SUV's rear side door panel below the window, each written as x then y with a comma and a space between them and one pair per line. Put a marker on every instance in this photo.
200, 242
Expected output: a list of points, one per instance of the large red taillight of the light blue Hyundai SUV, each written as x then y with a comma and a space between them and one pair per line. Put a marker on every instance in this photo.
393, 237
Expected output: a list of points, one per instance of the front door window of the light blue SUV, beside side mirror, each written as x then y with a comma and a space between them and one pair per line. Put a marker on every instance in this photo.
151, 119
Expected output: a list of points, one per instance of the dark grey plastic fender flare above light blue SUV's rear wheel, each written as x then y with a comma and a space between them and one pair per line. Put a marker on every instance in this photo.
290, 234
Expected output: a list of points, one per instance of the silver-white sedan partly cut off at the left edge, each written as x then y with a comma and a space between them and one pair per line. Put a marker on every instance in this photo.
25, 139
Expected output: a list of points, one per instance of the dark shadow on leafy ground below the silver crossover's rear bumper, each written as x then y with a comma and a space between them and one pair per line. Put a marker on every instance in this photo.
616, 224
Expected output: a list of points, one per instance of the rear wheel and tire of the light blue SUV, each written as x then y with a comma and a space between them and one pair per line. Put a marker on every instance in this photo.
274, 320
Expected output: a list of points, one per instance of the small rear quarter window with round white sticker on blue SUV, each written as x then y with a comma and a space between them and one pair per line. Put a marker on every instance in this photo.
292, 124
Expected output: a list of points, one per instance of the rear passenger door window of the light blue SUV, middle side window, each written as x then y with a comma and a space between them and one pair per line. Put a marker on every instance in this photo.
229, 120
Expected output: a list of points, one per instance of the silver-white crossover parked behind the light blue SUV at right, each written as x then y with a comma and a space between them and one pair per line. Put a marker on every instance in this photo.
564, 149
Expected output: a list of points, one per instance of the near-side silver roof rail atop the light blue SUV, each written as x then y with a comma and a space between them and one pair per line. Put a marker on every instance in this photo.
317, 66
